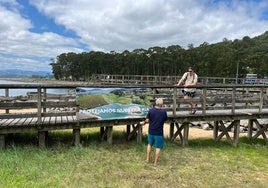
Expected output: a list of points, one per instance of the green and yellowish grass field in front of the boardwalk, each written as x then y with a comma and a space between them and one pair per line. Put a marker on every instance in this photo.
204, 163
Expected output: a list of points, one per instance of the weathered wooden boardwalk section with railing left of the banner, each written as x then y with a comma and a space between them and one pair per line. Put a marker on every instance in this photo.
36, 110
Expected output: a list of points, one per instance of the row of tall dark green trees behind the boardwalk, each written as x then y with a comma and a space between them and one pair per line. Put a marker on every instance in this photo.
223, 59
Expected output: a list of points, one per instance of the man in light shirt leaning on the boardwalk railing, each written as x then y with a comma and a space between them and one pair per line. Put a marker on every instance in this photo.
189, 79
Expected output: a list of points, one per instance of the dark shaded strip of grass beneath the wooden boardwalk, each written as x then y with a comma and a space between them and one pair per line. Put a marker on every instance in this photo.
92, 138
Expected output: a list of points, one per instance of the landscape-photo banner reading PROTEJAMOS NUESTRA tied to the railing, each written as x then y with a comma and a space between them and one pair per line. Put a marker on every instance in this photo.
112, 103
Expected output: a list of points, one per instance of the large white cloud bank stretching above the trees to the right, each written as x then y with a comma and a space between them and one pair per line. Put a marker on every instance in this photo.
130, 24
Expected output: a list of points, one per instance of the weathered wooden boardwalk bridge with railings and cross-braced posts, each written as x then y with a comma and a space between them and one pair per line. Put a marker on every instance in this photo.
223, 104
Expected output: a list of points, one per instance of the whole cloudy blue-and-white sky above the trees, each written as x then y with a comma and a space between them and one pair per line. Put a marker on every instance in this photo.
32, 32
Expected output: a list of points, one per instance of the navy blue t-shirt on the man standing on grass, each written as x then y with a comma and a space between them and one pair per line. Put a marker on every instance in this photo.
157, 118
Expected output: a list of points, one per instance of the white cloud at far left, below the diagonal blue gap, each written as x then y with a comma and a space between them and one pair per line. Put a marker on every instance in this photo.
22, 48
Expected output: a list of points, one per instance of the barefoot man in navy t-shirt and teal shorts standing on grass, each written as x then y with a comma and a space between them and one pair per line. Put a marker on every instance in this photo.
155, 117
